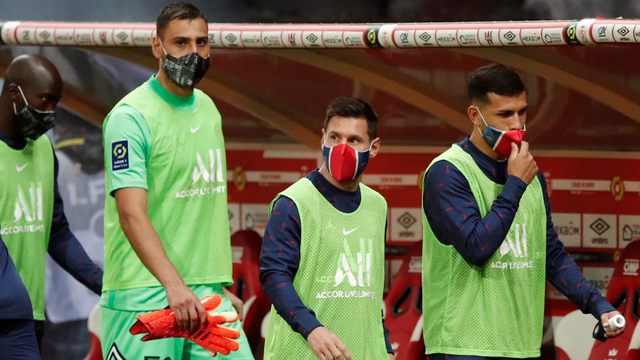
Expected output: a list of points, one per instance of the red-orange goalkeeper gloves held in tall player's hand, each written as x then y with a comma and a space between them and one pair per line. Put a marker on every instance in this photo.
213, 337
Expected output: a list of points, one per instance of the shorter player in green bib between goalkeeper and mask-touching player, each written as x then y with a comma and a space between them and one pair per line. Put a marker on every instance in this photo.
322, 261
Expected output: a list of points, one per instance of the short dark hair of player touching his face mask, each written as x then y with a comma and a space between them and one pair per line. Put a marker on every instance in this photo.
493, 78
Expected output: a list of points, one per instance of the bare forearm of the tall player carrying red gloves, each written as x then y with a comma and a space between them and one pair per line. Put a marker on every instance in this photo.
147, 244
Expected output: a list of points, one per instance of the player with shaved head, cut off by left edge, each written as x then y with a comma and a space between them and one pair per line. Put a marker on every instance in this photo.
32, 217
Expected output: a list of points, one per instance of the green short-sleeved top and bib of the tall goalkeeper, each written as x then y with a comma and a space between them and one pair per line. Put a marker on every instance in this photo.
185, 178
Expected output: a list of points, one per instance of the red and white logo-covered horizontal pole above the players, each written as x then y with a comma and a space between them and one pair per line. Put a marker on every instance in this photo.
346, 36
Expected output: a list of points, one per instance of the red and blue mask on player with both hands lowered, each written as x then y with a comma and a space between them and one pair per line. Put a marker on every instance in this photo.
344, 162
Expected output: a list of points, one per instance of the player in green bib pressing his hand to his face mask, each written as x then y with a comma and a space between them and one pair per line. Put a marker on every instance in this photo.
489, 244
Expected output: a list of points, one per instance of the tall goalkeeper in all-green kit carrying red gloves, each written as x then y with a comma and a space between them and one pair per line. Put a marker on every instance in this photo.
166, 221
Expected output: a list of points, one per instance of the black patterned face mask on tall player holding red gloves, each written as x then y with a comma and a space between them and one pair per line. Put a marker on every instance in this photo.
187, 70
